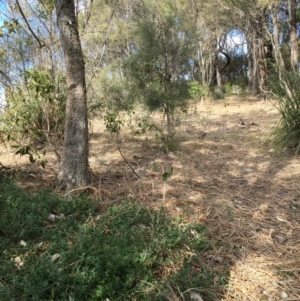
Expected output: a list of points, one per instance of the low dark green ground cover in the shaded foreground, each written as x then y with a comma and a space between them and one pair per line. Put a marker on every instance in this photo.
129, 253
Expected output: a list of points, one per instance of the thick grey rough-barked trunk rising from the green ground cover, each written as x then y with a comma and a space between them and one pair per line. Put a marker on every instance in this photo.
74, 168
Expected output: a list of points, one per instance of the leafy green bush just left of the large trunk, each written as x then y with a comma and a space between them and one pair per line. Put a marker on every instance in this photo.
35, 112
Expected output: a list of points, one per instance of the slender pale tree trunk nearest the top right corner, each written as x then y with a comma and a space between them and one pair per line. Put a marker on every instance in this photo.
292, 7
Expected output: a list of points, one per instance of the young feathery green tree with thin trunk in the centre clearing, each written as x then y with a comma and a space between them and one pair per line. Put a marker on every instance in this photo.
154, 70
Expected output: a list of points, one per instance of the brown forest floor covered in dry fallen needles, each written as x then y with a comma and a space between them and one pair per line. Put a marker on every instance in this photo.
246, 195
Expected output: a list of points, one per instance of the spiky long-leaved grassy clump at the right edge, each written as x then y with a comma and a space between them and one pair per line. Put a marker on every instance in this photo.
287, 130
